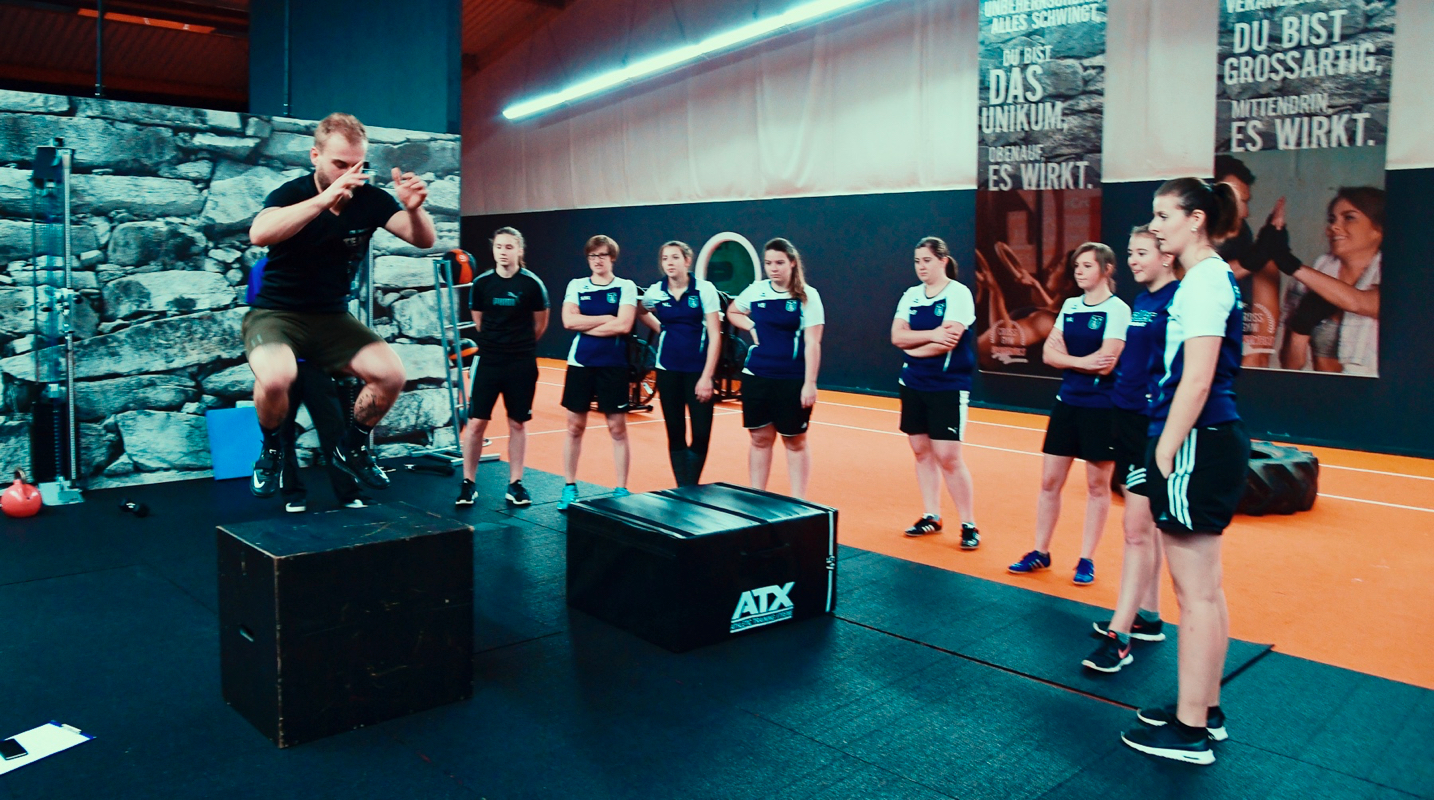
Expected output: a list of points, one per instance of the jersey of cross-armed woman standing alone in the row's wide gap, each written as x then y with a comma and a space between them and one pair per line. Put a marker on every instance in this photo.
950, 372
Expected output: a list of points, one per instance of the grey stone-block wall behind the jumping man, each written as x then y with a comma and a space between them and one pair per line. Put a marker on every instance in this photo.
163, 200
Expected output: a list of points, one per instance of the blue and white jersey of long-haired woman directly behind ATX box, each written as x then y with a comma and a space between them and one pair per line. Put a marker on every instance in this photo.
781, 320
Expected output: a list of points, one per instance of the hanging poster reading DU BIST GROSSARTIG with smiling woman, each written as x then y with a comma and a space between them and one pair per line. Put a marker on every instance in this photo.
1303, 111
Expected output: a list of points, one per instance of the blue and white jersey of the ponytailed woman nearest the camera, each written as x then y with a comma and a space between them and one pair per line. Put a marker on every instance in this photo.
1208, 303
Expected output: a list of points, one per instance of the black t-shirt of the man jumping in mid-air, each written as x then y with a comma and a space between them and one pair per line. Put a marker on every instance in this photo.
312, 270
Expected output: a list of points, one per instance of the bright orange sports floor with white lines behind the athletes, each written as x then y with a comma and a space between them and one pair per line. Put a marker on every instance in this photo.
1346, 584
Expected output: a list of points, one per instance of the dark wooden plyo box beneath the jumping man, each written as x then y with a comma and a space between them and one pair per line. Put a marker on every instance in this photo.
343, 620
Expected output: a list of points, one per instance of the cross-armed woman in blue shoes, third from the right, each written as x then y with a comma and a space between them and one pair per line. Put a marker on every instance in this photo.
1086, 343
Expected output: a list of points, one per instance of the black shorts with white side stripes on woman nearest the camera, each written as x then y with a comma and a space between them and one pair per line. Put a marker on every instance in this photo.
1208, 481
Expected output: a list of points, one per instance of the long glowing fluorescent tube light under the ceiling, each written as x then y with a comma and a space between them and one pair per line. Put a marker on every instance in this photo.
655, 65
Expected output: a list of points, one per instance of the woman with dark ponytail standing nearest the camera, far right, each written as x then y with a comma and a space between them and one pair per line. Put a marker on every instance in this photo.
1197, 459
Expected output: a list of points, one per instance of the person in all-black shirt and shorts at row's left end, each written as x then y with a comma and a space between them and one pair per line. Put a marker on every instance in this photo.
510, 308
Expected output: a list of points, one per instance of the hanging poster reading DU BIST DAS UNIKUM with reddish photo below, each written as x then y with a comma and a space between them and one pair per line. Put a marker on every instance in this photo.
1043, 95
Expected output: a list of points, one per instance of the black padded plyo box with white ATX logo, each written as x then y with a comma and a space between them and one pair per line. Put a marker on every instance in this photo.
698, 566
